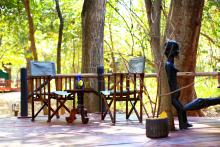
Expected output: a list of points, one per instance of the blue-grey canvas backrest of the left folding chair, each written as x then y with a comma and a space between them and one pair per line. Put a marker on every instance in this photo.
42, 68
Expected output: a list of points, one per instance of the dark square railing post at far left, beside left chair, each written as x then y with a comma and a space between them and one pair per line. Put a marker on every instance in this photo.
24, 93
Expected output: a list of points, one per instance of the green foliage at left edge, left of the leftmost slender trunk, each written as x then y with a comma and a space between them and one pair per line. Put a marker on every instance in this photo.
12, 33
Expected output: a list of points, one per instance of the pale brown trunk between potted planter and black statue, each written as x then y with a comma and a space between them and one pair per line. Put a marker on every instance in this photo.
154, 15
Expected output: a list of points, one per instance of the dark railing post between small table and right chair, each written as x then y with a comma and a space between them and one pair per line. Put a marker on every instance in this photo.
101, 86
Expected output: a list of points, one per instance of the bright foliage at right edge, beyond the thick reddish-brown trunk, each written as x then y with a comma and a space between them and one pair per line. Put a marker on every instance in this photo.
209, 44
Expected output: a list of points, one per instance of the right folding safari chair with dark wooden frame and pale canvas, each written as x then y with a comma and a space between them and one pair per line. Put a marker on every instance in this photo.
127, 87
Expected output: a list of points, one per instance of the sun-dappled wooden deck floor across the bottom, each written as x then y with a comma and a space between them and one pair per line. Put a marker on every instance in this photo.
24, 132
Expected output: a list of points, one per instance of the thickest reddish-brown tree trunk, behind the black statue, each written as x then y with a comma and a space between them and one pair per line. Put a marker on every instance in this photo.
184, 26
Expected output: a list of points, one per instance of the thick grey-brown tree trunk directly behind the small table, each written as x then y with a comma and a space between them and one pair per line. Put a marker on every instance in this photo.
93, 17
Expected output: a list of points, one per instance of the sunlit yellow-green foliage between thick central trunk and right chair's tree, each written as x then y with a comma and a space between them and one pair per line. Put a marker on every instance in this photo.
129, 32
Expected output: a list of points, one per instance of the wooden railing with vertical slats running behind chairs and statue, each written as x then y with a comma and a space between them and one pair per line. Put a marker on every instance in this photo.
67, 81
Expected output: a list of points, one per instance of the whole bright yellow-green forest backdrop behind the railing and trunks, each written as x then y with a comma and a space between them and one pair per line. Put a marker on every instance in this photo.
126, 35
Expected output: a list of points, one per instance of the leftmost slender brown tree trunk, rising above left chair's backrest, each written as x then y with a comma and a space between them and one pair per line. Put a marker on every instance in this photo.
32, 48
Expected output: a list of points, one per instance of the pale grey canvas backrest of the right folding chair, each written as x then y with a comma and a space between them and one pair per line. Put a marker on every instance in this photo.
136, 65
